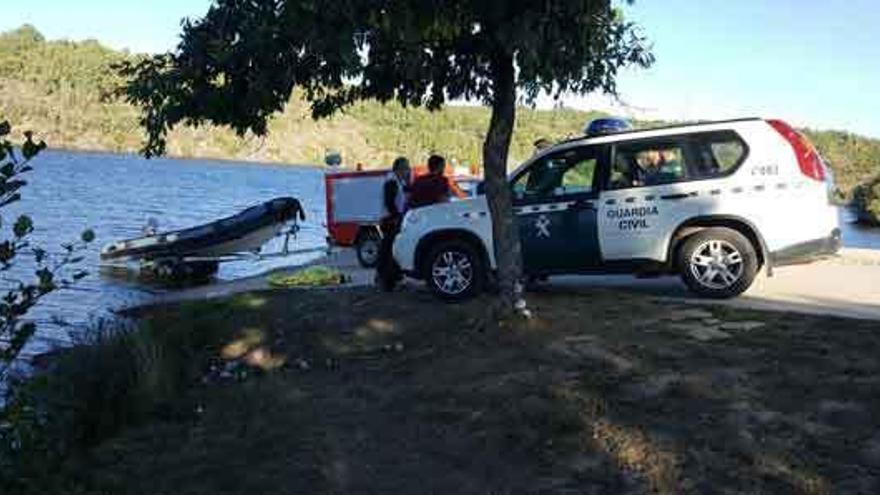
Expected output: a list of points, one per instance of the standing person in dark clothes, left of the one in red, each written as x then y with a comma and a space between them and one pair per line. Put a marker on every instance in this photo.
394, 201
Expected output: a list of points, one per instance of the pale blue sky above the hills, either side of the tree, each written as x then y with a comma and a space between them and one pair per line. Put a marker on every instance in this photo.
812, 62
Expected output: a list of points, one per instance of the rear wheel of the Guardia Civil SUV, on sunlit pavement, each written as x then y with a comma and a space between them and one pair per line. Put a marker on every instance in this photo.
718, 263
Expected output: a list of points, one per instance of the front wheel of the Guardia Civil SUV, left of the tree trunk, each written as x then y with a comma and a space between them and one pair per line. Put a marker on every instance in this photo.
455, 270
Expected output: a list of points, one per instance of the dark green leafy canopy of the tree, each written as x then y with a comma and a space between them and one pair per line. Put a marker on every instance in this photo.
239, 64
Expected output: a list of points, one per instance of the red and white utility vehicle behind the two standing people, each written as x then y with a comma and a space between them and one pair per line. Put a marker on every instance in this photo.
354, 208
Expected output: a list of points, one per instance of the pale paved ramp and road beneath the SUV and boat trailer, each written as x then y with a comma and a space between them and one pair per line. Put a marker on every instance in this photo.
798, 289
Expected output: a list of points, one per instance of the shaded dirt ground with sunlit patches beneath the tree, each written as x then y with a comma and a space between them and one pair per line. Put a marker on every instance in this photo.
603, 392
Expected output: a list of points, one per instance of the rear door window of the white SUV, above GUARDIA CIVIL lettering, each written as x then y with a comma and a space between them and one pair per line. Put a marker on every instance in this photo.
649, 163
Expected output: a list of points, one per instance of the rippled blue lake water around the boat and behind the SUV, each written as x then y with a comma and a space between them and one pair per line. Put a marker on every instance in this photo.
115, 195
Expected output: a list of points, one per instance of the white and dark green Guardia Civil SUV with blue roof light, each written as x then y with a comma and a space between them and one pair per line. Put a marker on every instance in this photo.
713, 202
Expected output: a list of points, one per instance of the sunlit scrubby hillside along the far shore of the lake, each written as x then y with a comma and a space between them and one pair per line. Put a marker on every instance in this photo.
56, 87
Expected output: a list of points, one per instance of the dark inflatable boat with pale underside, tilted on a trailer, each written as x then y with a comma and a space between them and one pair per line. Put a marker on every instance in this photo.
244, 232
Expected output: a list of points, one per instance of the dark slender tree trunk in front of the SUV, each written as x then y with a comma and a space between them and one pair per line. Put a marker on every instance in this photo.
495, 149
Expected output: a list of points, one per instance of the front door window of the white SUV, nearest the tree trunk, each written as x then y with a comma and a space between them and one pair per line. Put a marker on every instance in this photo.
566, 172
